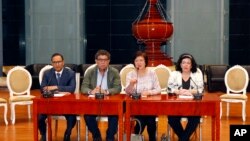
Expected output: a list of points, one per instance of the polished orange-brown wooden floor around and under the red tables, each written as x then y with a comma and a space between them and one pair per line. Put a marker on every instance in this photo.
23, 128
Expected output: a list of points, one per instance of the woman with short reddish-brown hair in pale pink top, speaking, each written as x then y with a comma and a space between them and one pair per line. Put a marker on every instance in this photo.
143, 81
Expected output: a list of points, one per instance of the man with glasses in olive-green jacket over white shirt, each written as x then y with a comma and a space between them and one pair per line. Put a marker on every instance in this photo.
106, 80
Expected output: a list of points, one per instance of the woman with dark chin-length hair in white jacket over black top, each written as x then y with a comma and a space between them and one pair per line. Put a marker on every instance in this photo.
186, 80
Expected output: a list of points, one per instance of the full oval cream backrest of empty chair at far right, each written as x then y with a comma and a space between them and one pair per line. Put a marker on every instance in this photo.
236, 79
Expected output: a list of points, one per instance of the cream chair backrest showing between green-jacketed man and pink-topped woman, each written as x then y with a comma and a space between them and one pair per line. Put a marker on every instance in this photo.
123, 73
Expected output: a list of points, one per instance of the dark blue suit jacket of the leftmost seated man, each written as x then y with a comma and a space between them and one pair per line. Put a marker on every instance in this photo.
67, 81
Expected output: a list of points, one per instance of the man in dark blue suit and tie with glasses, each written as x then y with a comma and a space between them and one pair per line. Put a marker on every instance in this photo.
59, 79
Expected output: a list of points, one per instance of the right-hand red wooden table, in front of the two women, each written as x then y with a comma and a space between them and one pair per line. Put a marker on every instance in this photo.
172, 105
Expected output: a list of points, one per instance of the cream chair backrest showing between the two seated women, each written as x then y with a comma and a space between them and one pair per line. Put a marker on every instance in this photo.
163, 73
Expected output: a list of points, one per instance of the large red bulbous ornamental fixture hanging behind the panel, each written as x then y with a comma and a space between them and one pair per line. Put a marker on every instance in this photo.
152, 28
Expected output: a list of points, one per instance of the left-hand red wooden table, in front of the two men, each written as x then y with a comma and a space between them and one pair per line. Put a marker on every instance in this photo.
78, 104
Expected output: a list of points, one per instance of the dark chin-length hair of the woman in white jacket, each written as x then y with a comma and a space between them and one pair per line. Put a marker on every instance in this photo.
183, 56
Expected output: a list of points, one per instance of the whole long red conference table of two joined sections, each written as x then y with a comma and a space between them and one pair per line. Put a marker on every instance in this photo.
118, 104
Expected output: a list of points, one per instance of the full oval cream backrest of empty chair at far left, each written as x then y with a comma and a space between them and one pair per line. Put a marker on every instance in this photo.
19, 81
